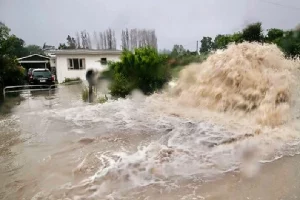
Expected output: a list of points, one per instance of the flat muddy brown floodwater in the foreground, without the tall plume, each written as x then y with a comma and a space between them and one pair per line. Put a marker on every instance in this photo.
57, 147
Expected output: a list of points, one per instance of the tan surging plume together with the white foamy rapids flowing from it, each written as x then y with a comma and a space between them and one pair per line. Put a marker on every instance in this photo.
234, 112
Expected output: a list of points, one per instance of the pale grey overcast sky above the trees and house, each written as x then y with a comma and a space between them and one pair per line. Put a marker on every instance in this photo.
175, 21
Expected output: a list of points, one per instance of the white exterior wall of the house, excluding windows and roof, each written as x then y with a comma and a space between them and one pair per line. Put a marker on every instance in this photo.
91, 62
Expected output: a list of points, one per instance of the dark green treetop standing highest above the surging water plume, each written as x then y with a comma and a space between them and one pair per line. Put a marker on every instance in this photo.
253, 33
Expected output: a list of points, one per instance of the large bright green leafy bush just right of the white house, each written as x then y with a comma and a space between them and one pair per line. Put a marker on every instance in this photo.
143, 69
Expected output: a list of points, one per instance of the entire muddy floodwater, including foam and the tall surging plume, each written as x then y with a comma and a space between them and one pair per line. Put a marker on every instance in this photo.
165, 146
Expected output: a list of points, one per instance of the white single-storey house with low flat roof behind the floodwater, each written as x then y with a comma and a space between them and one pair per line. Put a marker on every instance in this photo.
74, 63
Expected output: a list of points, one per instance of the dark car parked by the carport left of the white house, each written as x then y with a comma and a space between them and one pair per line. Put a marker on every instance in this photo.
41, 77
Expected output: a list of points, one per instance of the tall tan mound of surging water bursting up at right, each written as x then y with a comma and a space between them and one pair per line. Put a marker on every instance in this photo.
249, 78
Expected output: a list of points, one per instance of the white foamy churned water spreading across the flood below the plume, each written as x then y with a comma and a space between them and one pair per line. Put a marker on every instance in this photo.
186, 148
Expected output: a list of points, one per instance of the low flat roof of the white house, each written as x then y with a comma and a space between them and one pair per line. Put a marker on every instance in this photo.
85, 52
